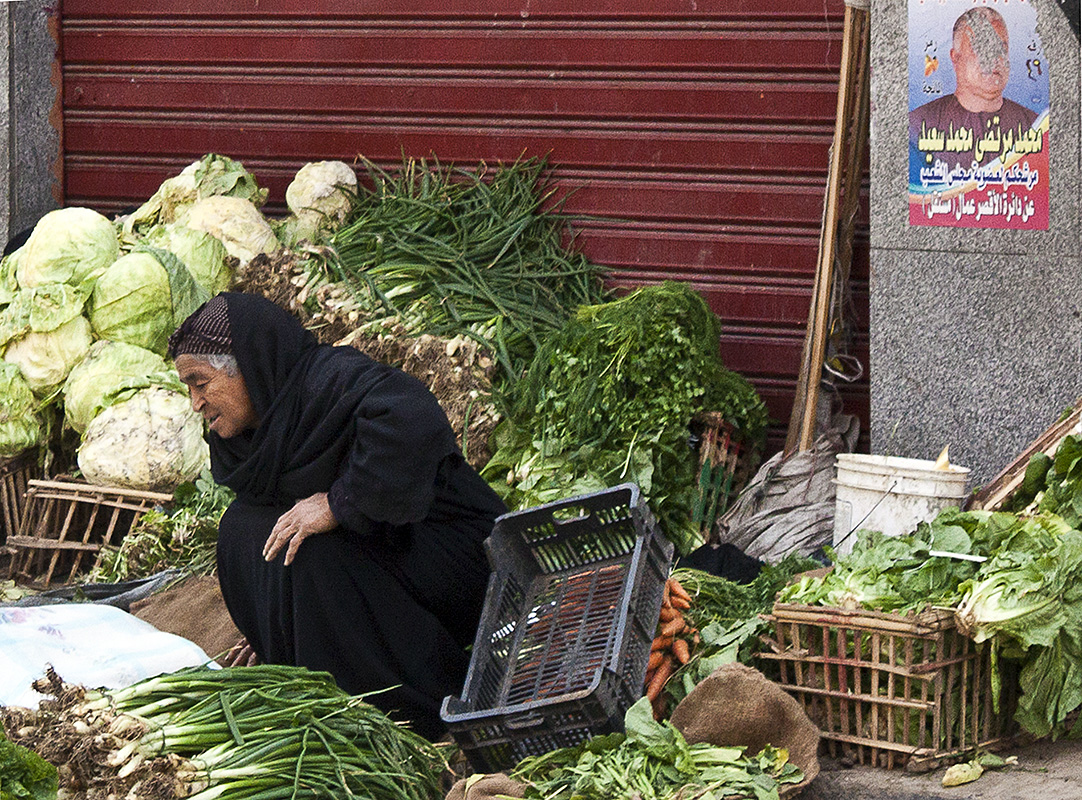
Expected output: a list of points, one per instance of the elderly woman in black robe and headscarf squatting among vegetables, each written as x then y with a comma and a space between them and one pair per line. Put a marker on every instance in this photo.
355, 543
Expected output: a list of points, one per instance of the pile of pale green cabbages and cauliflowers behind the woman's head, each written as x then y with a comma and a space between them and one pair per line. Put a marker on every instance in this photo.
87, 306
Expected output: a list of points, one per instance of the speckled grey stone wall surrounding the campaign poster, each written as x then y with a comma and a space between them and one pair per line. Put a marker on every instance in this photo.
977, 335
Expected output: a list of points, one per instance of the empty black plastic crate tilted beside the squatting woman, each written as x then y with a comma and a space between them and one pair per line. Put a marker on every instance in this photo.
562, 648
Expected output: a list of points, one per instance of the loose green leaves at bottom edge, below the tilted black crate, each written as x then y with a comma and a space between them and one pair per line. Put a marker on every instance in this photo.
654, 762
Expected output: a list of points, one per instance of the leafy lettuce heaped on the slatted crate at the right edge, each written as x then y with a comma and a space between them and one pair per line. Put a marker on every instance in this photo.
1022, 592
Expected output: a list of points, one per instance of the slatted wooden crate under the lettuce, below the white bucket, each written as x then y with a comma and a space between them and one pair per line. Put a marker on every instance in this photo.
892, 690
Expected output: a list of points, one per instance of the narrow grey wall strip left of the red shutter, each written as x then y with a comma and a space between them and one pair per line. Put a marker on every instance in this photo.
31, 148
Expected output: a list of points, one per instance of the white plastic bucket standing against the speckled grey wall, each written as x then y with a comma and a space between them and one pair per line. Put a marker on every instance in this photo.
891, 494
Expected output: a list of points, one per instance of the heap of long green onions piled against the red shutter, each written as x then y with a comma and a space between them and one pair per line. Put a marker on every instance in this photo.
451, 252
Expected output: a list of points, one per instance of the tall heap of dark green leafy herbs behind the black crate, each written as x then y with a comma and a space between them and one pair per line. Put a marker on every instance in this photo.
611, 398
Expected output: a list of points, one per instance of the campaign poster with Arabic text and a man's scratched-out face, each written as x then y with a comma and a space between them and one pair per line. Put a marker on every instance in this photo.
979, 115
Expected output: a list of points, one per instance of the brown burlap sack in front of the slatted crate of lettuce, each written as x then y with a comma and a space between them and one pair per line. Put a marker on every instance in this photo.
737, 706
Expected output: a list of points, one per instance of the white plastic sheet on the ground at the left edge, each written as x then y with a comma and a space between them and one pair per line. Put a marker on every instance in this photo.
89, 645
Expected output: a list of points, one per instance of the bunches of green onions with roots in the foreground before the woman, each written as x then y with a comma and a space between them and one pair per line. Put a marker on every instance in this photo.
233, 735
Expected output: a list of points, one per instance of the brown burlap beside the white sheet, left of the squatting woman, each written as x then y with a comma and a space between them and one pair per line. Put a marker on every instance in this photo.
193, 609
